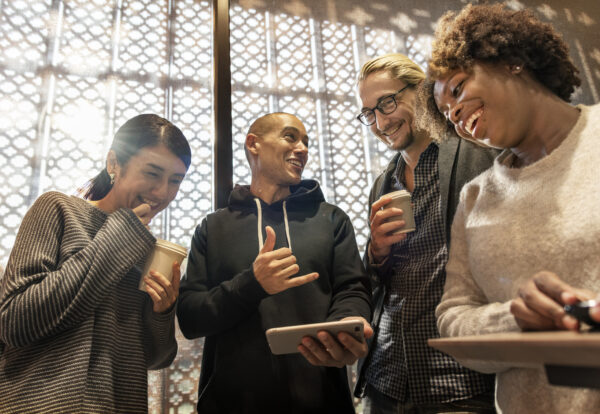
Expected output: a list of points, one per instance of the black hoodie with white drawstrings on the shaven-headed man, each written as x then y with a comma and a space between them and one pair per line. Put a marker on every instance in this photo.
221, 300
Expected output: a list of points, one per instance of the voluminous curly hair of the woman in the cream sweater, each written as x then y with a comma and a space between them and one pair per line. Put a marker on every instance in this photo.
492, 33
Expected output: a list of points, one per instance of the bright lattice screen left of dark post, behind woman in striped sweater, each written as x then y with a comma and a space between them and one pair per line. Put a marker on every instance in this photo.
71, 72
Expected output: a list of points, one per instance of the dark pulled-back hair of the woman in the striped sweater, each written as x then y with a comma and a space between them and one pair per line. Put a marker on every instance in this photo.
146, 130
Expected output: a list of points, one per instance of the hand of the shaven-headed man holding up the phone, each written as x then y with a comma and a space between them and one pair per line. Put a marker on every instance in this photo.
325, 350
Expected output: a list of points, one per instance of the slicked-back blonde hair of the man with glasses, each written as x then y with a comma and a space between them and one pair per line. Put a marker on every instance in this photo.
399, 66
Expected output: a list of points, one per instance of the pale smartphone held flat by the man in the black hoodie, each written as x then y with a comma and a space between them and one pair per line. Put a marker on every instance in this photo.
285, 339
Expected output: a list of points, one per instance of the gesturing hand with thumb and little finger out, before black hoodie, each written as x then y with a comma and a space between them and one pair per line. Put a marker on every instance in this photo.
274, 269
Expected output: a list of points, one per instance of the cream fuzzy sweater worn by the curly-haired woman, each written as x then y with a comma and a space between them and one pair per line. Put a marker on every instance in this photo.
510, 224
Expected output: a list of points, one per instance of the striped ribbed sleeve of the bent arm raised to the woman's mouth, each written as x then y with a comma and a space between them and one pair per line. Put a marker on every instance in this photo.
41, 296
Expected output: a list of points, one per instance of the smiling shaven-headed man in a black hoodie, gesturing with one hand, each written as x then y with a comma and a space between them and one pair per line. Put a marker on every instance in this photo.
278, 255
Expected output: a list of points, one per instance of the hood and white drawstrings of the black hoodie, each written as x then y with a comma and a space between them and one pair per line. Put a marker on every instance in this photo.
306, 193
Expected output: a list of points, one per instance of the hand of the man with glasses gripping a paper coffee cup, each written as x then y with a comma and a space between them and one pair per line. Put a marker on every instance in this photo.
381, 232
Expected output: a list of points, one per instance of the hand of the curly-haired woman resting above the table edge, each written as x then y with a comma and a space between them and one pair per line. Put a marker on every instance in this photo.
540, 305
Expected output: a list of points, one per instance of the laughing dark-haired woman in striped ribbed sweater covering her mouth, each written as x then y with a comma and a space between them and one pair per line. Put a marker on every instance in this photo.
76, 333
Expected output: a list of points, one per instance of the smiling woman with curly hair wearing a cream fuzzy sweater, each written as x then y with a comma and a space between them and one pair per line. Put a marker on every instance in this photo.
527, 231
